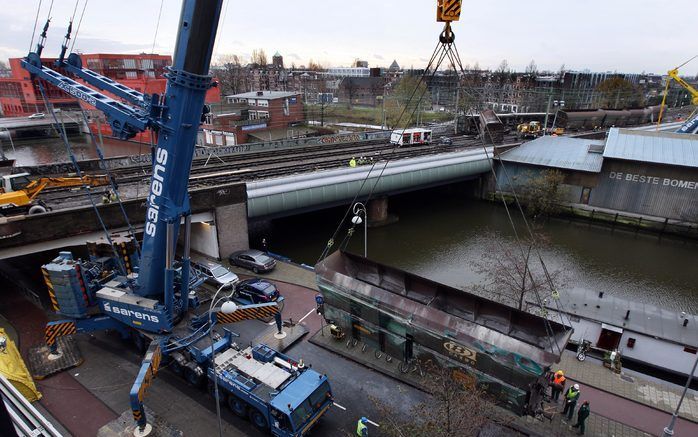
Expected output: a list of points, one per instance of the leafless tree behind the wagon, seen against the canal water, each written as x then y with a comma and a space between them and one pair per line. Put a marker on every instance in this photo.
513, 272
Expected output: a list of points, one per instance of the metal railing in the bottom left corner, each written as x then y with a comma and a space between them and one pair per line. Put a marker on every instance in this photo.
27, 420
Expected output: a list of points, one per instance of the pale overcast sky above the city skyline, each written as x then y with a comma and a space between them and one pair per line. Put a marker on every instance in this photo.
598, 35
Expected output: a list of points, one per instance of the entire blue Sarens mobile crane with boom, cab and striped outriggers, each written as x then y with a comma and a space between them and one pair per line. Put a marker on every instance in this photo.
148, 292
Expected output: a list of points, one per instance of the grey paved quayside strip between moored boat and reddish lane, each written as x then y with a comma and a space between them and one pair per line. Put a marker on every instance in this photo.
649, 393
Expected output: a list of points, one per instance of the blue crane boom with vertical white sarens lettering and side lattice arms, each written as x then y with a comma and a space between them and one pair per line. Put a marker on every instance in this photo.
176, 116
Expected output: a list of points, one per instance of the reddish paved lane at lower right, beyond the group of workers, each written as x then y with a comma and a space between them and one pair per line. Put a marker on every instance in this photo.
634, 414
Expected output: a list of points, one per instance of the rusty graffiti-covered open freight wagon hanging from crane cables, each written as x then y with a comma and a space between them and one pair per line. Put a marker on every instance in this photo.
406, 316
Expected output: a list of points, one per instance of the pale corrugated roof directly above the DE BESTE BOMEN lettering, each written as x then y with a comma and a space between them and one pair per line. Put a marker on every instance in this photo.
657, 147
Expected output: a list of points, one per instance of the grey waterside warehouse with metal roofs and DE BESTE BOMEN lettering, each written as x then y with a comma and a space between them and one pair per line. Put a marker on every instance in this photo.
642, 172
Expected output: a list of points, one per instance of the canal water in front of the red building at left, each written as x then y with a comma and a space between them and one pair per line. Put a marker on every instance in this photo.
42, 150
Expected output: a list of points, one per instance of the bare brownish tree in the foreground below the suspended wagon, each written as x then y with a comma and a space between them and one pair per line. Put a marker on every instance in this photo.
457, 408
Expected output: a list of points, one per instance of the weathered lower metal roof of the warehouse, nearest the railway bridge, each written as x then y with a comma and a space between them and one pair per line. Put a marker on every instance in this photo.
558, 152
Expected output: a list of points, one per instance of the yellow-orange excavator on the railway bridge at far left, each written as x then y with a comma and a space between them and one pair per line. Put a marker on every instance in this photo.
18, 193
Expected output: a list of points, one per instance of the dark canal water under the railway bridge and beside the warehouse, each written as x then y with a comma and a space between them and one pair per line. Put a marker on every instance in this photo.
442, 236
